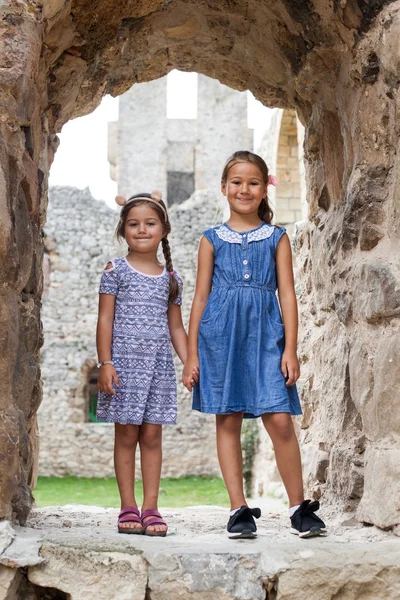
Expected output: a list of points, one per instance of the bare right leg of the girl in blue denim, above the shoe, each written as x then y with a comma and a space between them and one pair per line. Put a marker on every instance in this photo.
287, 453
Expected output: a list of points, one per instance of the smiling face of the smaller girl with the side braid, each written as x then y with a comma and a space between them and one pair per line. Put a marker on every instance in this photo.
143, 229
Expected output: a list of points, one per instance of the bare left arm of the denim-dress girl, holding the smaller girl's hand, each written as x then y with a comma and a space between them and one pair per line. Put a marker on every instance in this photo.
205, 268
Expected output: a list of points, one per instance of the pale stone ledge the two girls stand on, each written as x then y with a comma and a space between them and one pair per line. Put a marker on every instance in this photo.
82, 554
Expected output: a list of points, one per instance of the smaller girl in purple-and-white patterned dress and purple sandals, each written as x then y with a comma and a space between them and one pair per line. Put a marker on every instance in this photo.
139, 317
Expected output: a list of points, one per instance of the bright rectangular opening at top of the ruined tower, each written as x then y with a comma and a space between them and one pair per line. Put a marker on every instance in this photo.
181, 95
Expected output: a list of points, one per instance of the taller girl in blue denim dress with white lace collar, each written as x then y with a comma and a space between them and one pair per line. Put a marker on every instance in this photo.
245, 353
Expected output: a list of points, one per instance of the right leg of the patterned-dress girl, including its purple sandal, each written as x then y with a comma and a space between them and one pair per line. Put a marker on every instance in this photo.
150, 442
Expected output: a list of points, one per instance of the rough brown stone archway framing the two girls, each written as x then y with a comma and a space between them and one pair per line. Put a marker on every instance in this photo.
332, 64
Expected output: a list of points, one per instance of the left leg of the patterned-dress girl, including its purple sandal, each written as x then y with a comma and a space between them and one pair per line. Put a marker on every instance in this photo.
126, 438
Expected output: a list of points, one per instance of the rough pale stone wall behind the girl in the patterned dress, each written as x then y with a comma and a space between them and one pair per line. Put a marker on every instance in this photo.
79, 240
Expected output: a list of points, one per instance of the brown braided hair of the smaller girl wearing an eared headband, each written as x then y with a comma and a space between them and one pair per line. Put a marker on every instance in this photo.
161, 210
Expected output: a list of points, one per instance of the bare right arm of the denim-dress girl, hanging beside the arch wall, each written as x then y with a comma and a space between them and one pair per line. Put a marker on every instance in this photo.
287, 299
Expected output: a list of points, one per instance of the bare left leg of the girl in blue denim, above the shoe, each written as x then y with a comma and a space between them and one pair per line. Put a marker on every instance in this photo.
230, 456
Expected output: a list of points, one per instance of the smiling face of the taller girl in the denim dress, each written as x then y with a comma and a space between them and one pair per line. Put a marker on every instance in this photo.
244, 188
